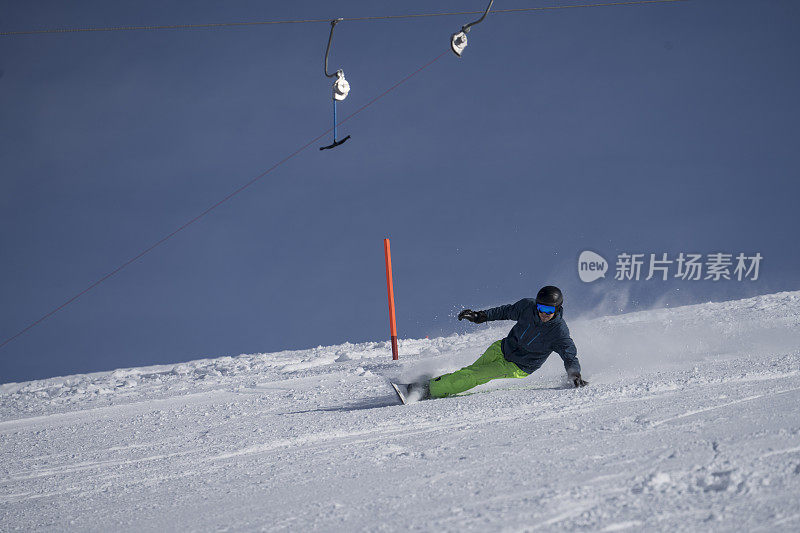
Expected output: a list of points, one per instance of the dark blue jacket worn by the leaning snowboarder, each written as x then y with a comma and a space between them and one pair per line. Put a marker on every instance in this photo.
531, 341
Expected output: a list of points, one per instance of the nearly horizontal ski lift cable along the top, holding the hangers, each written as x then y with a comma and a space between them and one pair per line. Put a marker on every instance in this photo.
219, 25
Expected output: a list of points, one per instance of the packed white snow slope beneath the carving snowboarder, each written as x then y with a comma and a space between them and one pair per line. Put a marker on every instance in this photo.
690, 423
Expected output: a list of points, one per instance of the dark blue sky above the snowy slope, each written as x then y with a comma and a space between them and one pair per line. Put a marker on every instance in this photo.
648, 129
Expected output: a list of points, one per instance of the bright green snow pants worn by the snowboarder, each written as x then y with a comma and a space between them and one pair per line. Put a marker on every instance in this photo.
491, 365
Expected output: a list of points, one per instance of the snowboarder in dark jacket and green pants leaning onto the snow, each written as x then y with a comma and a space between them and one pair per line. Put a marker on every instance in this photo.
539, 331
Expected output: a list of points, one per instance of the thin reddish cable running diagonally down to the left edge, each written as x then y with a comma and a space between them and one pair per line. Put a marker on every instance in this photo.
220, 202
